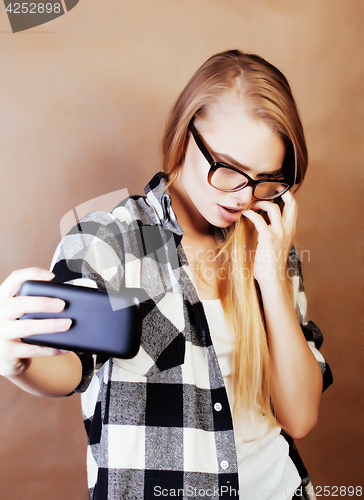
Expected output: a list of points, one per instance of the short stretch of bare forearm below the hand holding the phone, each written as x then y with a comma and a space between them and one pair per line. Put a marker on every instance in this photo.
54, 376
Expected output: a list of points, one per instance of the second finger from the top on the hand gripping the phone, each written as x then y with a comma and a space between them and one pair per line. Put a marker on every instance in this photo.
15, 307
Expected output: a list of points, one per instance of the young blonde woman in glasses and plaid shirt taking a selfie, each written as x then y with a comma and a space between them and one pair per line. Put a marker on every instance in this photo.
228, 371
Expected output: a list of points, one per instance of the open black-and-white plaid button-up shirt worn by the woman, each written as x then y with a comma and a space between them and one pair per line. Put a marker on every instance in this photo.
153, 424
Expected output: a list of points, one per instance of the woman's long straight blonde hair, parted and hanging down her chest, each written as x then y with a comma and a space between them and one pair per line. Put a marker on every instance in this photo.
270, 98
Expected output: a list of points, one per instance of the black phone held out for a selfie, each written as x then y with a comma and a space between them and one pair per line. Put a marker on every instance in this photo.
102, 322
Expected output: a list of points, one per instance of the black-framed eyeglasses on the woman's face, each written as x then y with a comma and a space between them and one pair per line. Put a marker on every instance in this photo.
225, 177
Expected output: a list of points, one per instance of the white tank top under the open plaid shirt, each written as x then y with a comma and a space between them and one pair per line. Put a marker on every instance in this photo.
265, 469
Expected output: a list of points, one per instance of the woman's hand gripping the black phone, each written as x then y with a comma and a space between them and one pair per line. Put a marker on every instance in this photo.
15, 356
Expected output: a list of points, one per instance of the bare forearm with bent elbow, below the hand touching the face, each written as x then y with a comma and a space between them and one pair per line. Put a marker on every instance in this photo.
296, 379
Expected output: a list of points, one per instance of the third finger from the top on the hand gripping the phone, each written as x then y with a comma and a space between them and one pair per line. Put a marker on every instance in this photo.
27, 327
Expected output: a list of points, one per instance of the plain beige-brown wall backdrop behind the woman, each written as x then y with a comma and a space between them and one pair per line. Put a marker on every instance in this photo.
83, 101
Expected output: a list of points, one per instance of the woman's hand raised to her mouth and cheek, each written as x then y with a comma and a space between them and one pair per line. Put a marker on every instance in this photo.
274, 239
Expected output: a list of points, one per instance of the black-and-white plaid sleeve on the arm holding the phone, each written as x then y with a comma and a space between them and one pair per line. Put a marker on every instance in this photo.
91, 254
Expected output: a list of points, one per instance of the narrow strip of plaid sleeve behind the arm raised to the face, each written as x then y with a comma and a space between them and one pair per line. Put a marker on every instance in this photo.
311, 332
